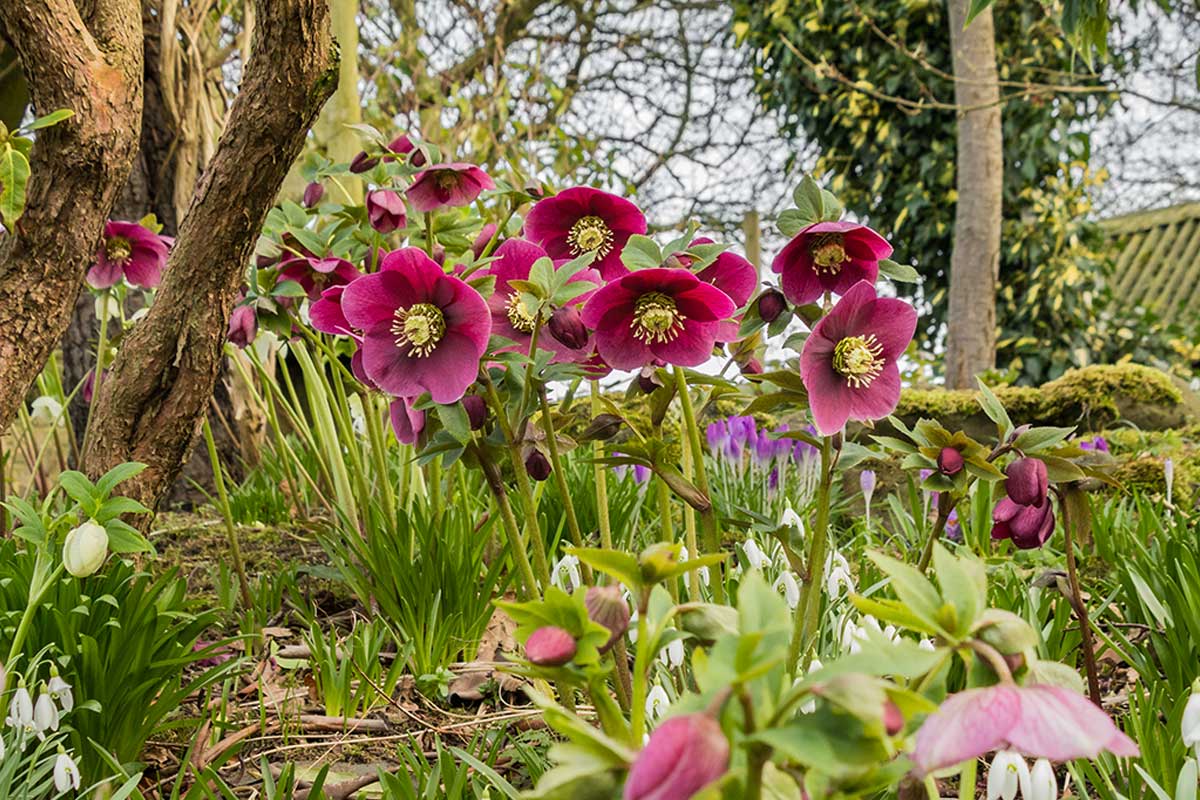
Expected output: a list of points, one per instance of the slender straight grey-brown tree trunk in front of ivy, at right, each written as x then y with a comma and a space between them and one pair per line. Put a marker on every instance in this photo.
975, 262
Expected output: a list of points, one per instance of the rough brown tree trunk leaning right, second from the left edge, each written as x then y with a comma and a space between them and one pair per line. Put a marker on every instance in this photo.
149, 410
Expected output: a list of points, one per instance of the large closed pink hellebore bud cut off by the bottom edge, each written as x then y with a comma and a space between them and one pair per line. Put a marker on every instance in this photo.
683, 756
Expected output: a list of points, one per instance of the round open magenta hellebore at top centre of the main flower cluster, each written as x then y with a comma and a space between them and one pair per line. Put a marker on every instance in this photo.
585, 220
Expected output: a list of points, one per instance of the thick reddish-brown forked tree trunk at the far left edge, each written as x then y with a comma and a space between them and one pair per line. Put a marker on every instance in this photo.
93, 67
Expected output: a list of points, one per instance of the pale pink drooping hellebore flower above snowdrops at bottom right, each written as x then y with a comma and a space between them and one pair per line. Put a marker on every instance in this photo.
1037, 721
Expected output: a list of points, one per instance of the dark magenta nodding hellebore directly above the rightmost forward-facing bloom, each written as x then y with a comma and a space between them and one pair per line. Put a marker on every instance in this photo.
830, 257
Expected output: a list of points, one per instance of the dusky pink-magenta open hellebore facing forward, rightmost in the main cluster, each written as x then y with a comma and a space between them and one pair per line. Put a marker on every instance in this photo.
849, 363
